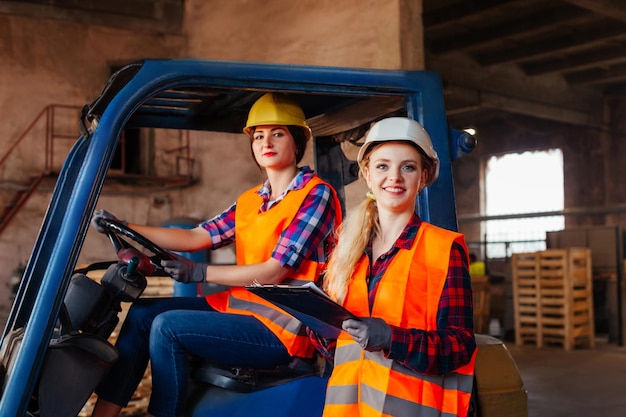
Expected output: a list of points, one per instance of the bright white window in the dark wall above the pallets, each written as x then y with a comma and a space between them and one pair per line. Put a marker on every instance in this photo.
529, 182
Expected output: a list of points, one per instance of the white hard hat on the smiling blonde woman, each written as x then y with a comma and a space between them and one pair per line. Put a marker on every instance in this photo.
402, 129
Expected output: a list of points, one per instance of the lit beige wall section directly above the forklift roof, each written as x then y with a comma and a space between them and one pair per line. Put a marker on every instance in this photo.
351, 33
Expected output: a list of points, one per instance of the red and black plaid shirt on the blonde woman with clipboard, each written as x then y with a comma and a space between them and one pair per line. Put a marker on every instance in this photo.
433, 352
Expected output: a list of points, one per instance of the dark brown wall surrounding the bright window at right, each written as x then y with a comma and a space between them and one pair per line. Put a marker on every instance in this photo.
593, 176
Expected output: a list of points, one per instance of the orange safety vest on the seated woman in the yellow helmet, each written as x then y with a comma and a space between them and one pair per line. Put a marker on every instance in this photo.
256, 234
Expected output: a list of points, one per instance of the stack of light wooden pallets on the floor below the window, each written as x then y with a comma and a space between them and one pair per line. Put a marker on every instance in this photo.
553, 298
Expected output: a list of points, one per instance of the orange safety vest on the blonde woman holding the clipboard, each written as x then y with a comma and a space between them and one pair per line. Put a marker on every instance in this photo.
368, 384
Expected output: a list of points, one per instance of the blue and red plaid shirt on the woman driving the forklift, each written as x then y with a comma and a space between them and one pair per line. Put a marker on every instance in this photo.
306, 237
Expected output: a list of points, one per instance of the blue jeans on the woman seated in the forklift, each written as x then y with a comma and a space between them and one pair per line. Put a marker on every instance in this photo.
166, 331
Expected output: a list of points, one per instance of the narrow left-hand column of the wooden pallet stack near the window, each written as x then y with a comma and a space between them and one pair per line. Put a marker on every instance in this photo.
527, 308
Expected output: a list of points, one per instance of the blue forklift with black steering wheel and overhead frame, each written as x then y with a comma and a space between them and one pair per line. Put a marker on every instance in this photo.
55, 346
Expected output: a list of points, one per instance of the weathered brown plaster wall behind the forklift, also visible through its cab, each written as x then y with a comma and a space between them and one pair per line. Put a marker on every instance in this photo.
50, 54
